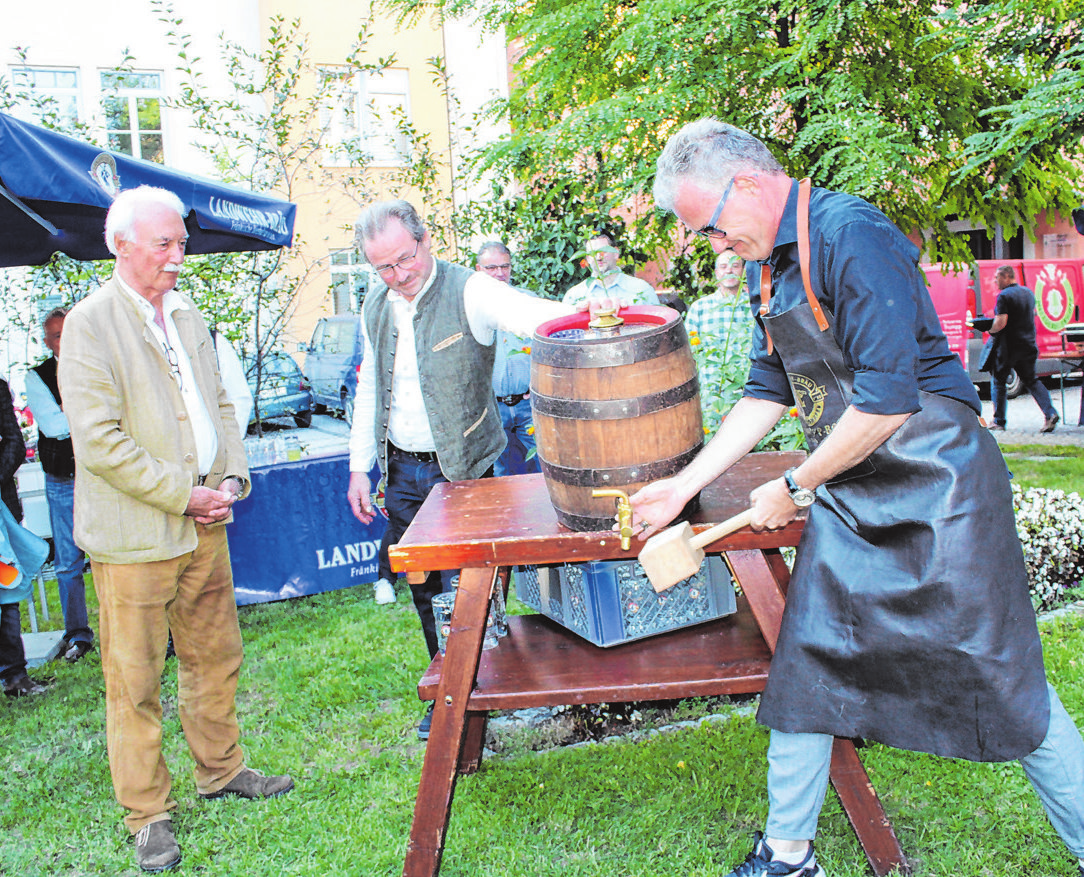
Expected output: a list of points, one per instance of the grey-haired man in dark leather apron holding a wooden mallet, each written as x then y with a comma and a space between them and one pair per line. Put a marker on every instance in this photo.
886, 635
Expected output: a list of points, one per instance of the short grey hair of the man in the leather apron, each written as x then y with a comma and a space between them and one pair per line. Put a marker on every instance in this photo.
709, 153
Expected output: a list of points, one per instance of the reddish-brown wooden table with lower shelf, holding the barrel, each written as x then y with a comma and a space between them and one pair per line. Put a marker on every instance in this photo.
486, 527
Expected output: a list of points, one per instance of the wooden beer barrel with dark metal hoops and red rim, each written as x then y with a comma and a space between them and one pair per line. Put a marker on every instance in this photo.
614, 408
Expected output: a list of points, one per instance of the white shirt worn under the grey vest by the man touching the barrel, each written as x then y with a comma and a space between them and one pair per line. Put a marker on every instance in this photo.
491, 306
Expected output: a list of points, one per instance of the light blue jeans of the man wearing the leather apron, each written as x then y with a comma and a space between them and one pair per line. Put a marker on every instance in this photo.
798, 778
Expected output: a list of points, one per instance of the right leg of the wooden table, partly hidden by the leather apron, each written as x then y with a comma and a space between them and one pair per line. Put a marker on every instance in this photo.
765, 583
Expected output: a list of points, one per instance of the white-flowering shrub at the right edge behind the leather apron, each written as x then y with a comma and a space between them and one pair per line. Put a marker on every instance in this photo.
1051, 526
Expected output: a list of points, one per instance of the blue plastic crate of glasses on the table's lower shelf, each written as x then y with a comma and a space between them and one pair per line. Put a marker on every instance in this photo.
613, 602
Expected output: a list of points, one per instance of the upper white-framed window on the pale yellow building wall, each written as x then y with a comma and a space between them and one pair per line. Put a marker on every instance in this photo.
362, 113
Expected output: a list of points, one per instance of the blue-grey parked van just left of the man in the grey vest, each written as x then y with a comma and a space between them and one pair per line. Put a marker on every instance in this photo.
332, 362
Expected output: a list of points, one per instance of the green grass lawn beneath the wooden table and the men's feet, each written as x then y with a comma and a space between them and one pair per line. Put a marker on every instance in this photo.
328, 694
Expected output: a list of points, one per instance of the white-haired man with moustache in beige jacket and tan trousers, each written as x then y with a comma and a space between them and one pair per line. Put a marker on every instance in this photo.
159, 466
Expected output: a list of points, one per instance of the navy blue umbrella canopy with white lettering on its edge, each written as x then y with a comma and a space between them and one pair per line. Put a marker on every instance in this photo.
56, 191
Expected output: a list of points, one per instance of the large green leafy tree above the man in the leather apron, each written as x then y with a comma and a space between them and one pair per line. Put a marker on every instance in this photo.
876, 99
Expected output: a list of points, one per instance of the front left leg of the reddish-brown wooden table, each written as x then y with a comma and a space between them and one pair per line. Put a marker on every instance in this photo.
441, 768
